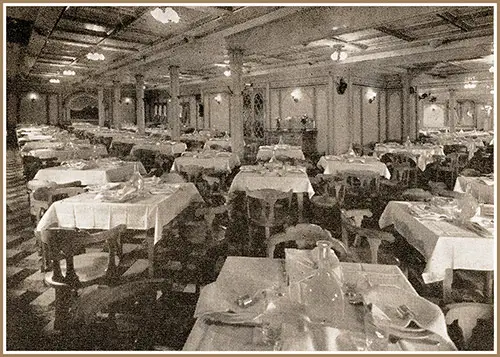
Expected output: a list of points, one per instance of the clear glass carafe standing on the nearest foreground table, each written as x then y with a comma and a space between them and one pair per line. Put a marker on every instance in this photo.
321, 293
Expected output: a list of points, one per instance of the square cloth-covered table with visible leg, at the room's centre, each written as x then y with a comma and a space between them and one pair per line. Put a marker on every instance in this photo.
275, 176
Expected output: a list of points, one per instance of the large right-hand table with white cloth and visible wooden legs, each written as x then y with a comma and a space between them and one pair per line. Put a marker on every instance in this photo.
445, 242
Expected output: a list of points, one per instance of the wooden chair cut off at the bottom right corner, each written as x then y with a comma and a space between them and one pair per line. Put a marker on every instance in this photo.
467, 316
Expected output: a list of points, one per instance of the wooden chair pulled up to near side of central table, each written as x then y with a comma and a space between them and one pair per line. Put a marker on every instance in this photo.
267, 208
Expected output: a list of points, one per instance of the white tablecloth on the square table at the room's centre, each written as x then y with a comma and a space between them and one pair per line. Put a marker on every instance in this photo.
298, 182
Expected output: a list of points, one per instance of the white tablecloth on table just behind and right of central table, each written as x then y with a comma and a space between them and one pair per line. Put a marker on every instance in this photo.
333, 165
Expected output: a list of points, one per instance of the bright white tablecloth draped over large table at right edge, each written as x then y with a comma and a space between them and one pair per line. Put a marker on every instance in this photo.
443, 244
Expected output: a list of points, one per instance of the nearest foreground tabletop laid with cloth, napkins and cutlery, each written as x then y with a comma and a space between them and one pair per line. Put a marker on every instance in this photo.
262, 304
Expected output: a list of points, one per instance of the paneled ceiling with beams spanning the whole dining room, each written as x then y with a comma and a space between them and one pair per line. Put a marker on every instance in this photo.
436, 43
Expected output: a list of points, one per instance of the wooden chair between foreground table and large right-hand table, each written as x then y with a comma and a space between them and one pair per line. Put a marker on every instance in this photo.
373, 237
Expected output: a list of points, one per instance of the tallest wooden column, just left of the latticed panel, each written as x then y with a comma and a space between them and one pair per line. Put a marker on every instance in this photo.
236, 64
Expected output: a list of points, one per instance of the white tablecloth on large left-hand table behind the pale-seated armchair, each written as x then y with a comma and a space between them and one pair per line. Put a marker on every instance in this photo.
85, 212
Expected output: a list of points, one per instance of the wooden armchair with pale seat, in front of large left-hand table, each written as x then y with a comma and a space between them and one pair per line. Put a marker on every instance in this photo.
81, 269
